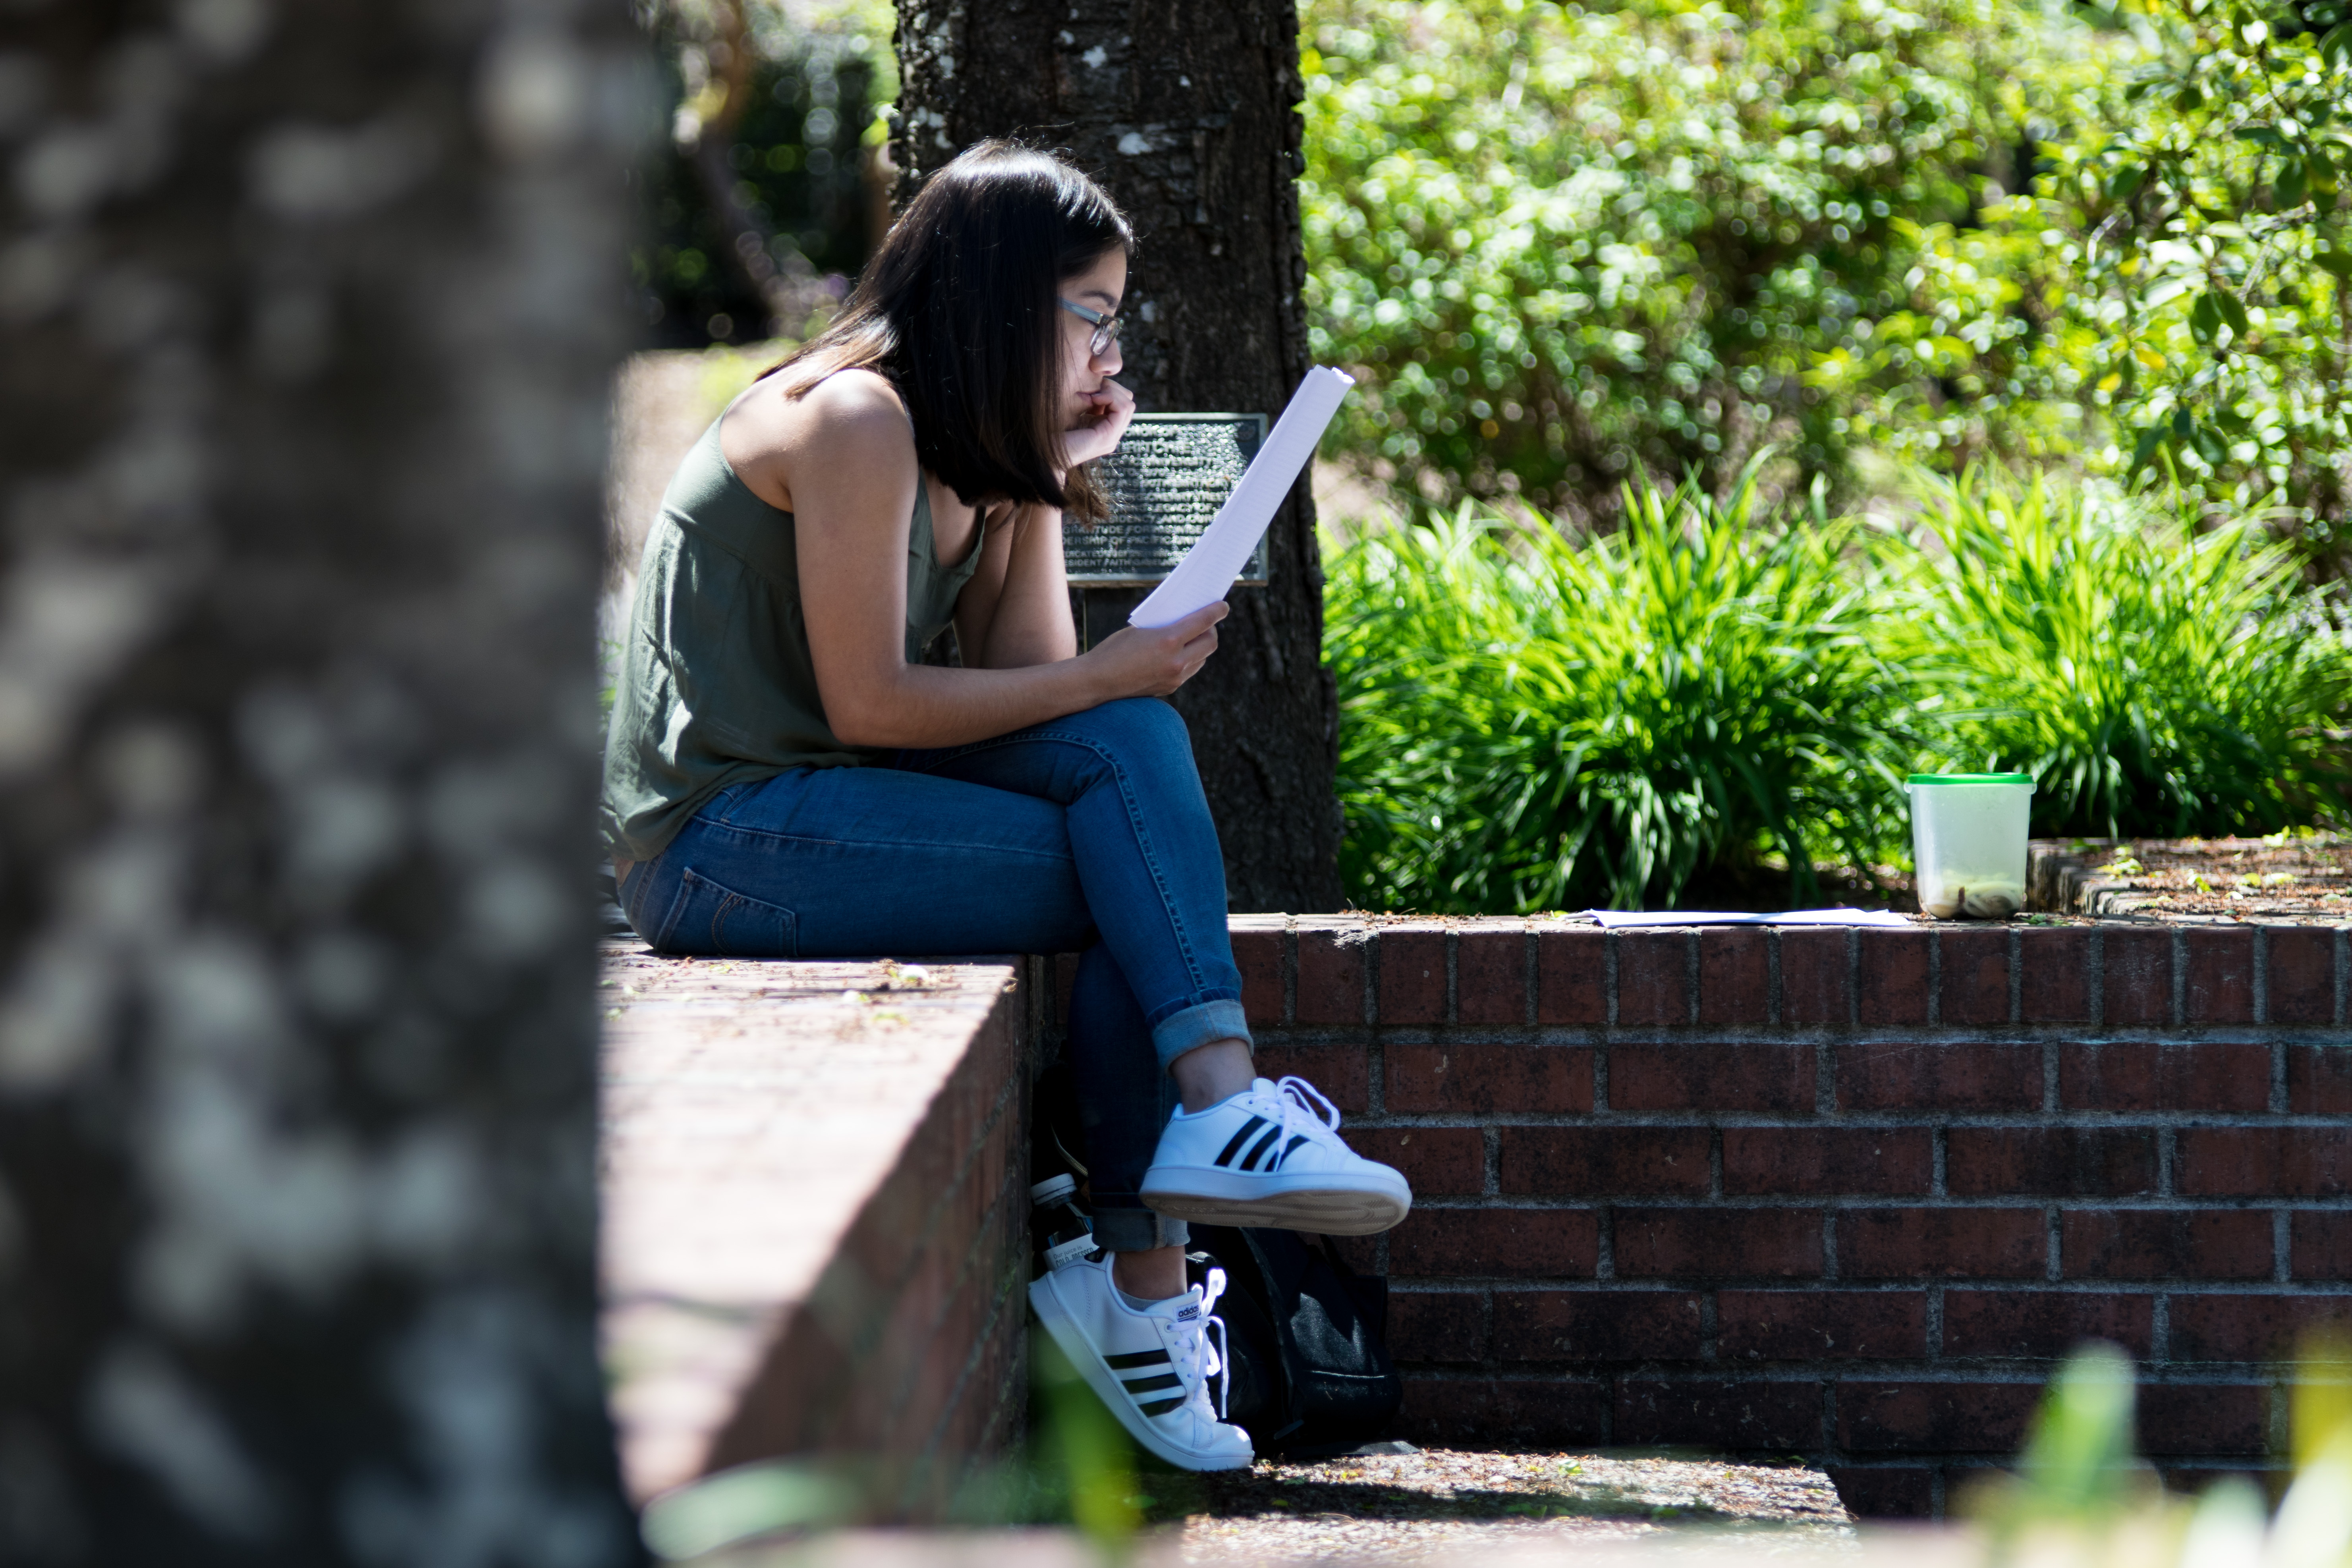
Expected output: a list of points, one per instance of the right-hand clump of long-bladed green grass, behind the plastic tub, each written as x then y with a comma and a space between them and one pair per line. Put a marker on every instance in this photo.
2151, 681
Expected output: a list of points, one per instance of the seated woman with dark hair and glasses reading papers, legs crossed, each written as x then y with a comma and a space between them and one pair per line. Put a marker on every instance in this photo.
789, 779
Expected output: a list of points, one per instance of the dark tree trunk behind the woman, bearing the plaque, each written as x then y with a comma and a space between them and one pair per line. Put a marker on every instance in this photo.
1189, 119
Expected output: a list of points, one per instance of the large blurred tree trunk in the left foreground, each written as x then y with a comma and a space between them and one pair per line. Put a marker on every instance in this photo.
307, 326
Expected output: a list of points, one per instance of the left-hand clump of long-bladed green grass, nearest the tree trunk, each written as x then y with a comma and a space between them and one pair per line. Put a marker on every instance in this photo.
1532, 723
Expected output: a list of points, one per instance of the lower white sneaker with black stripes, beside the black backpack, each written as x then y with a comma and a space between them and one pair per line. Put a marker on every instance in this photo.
1151, 1367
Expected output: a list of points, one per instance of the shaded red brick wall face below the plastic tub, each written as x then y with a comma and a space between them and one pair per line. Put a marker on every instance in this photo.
1836, 1193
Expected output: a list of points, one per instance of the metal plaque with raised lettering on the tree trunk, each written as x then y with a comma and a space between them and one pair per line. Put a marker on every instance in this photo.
1165, 483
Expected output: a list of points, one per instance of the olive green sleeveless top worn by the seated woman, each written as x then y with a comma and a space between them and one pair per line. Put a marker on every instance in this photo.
716, 681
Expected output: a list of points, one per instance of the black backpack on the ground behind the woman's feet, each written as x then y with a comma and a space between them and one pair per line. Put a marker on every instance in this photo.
1307, 1341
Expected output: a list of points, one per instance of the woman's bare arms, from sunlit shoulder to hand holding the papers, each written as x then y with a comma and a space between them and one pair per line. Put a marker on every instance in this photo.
850, 467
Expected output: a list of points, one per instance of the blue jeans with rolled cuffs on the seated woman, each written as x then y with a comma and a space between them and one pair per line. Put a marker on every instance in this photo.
1085, 833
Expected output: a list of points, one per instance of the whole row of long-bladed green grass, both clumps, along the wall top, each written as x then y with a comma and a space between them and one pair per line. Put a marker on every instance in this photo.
1532, 723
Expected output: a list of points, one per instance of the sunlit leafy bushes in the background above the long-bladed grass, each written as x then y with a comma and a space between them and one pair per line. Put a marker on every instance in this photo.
1556, 243
